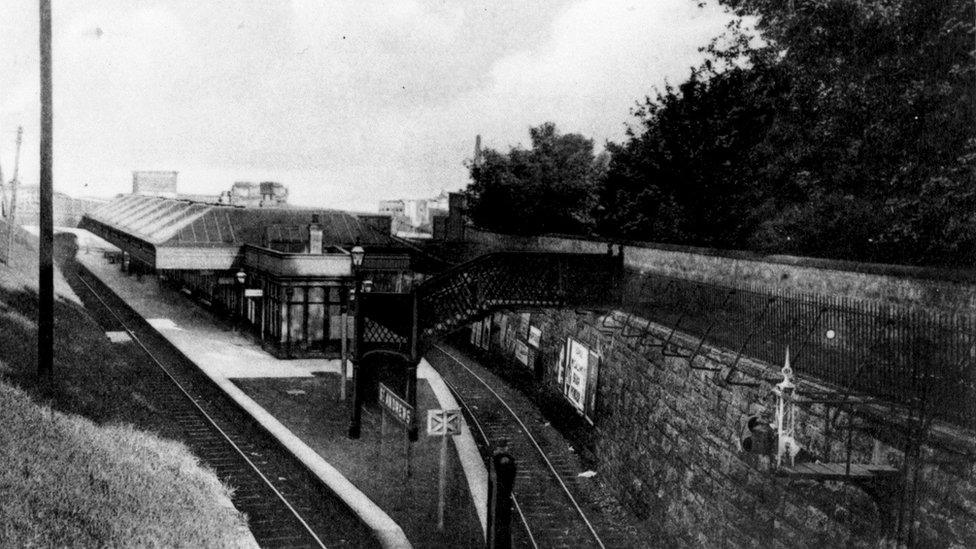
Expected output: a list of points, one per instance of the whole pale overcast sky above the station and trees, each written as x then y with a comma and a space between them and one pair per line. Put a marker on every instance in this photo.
345, 103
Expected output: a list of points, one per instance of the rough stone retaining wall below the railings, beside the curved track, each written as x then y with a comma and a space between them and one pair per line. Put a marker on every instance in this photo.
667, 440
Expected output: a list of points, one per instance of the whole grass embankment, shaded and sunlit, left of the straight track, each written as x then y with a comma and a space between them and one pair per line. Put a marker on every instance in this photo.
96, 480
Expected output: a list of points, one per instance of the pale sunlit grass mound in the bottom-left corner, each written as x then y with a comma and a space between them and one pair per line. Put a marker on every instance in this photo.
67, 481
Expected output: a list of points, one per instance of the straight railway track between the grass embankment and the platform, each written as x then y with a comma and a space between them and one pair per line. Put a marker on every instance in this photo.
285, 504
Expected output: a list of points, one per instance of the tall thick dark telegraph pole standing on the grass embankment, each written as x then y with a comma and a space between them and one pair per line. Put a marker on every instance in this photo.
45, 313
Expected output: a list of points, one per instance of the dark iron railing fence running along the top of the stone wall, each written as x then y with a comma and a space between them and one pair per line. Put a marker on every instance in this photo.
900, 355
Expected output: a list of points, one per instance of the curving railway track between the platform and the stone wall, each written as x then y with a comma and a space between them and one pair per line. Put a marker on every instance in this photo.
548, 510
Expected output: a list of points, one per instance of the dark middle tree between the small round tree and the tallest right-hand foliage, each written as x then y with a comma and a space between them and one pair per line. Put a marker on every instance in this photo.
683, 179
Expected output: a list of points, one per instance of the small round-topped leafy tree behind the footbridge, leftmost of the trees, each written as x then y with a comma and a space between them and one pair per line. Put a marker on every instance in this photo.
549, 188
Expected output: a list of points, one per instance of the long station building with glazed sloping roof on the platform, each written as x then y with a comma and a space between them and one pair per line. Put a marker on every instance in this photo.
284, 273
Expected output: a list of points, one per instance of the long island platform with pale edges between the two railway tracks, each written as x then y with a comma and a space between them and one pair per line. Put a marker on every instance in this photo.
298, 402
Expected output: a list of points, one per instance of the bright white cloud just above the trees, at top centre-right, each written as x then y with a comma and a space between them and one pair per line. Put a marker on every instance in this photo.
603, 58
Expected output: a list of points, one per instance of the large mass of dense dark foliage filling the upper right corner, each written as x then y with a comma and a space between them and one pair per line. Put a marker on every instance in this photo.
845, 130
